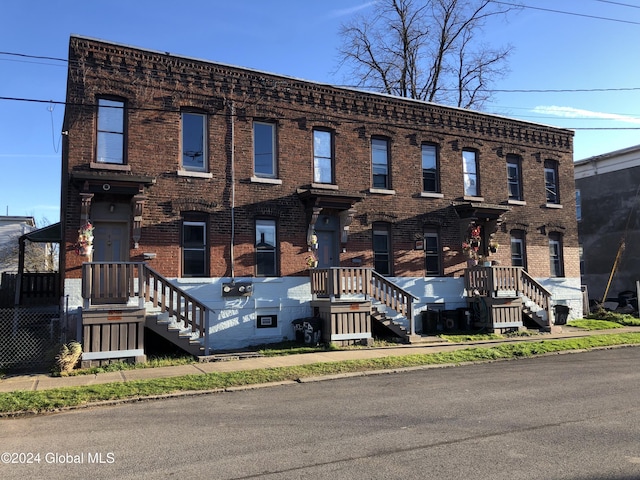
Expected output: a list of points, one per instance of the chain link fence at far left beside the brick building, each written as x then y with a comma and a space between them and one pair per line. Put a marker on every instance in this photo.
30, 338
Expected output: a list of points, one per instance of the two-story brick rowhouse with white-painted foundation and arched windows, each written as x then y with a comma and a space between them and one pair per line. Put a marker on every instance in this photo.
252, 192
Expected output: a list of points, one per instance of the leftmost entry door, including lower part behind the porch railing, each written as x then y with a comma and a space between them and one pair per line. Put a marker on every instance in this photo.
110, 244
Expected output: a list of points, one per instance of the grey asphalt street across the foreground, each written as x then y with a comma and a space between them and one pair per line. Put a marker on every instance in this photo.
570, 416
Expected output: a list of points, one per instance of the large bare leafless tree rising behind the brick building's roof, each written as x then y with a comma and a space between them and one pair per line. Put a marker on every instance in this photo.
426, 49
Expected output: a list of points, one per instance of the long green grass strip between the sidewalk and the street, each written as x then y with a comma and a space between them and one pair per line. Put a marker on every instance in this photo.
51, 400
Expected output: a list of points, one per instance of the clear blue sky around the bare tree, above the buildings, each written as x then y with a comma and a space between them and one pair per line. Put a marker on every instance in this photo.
592, 61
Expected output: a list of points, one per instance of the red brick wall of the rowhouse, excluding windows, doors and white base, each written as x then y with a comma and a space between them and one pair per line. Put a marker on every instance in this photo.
156, 86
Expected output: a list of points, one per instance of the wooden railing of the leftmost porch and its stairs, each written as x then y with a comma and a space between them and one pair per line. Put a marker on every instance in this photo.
118, 282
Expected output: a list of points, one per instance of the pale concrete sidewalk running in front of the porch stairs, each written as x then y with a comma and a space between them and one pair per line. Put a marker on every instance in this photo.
434, 345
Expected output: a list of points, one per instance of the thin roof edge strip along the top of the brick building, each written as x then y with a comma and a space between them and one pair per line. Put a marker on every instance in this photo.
350, 89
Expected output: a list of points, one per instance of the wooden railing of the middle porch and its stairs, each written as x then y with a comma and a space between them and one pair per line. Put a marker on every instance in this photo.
336, 281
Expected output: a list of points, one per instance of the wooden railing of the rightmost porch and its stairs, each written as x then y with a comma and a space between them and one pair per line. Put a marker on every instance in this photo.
489, 281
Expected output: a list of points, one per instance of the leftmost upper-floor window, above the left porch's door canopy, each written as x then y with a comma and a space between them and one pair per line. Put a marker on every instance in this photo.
110, 138
